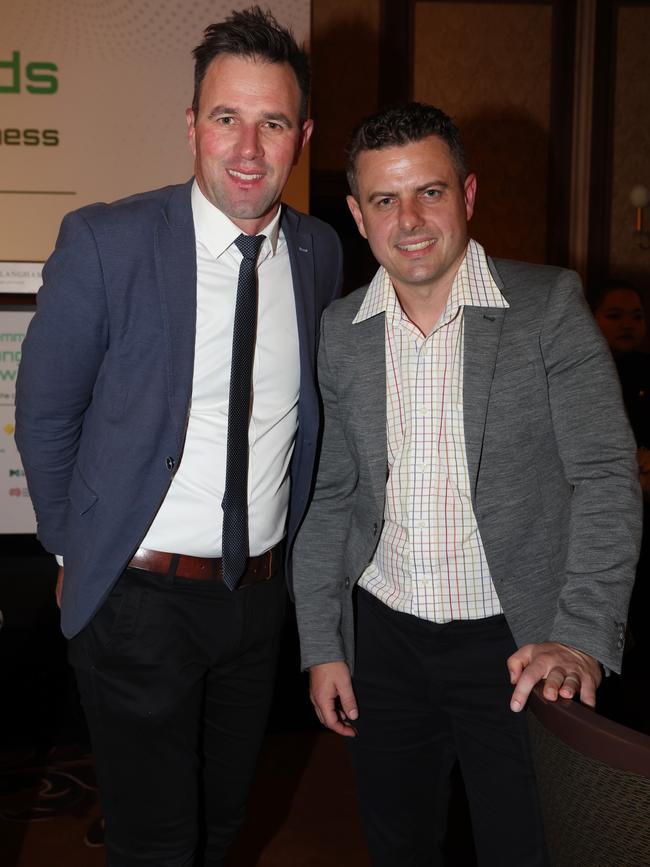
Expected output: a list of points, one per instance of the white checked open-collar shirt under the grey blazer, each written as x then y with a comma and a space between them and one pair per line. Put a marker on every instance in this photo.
430, 560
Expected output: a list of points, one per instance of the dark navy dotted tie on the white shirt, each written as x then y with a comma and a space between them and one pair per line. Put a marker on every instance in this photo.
235, 496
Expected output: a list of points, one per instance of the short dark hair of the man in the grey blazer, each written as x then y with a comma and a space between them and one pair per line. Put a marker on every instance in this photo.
400, 125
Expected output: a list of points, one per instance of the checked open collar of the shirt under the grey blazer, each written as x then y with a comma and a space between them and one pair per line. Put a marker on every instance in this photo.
473, 286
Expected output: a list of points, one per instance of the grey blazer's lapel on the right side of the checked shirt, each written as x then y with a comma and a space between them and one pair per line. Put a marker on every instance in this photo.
481, 342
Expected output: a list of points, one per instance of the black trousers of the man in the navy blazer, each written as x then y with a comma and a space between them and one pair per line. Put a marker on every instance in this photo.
176, 679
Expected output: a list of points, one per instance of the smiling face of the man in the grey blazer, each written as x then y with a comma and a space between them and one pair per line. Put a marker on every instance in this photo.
413, 210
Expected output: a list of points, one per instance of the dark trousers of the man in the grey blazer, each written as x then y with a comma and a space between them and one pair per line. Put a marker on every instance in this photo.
429, 695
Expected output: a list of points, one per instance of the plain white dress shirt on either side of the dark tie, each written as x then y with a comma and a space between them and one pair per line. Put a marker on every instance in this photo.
190, 517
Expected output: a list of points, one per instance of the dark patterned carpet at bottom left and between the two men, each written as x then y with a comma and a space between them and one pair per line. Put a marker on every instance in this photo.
302, 811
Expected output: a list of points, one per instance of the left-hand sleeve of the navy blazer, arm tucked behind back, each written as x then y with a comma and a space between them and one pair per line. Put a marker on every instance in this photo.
61, 358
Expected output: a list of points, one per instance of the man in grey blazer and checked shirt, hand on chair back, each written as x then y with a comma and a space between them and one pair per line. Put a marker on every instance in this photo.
475, 521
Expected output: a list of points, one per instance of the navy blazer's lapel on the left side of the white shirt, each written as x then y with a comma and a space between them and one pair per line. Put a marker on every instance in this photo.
175, 247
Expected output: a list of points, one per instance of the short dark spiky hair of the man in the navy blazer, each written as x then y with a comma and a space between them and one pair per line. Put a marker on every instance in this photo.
252, 33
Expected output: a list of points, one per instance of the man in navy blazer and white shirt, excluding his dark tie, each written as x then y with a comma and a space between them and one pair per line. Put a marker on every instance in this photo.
122, 411
